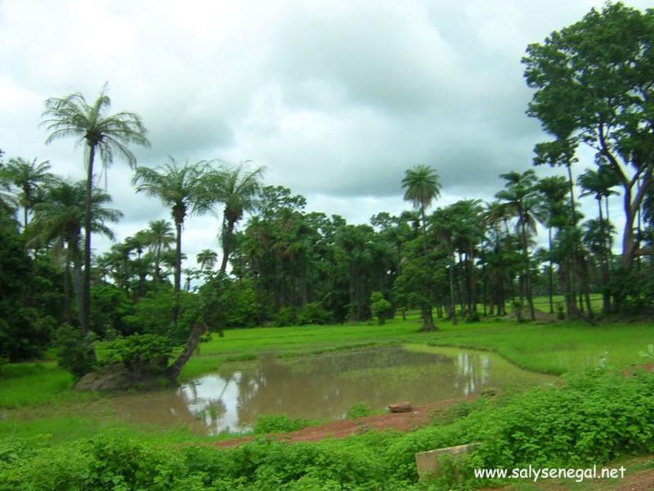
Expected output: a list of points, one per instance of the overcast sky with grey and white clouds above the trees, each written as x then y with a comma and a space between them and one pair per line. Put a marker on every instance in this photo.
335, 98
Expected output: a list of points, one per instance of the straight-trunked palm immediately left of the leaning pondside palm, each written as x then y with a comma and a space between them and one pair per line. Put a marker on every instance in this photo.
180, 187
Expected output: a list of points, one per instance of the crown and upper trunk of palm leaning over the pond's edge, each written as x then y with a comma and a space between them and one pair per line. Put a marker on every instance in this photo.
238, 189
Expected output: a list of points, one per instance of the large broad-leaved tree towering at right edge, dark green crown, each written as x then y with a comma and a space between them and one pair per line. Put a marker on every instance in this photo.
593, 85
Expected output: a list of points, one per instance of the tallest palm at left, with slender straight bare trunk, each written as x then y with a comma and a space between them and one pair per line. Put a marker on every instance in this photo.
103, 134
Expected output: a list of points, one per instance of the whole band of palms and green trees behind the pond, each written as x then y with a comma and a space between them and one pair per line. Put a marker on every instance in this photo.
278, 264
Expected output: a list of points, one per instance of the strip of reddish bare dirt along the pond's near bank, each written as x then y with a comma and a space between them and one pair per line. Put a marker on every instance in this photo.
419, 416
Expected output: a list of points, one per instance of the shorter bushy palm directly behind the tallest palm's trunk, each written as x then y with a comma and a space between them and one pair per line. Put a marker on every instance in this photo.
58, 221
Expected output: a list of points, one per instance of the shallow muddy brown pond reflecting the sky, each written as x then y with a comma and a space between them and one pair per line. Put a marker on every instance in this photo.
322, 386
